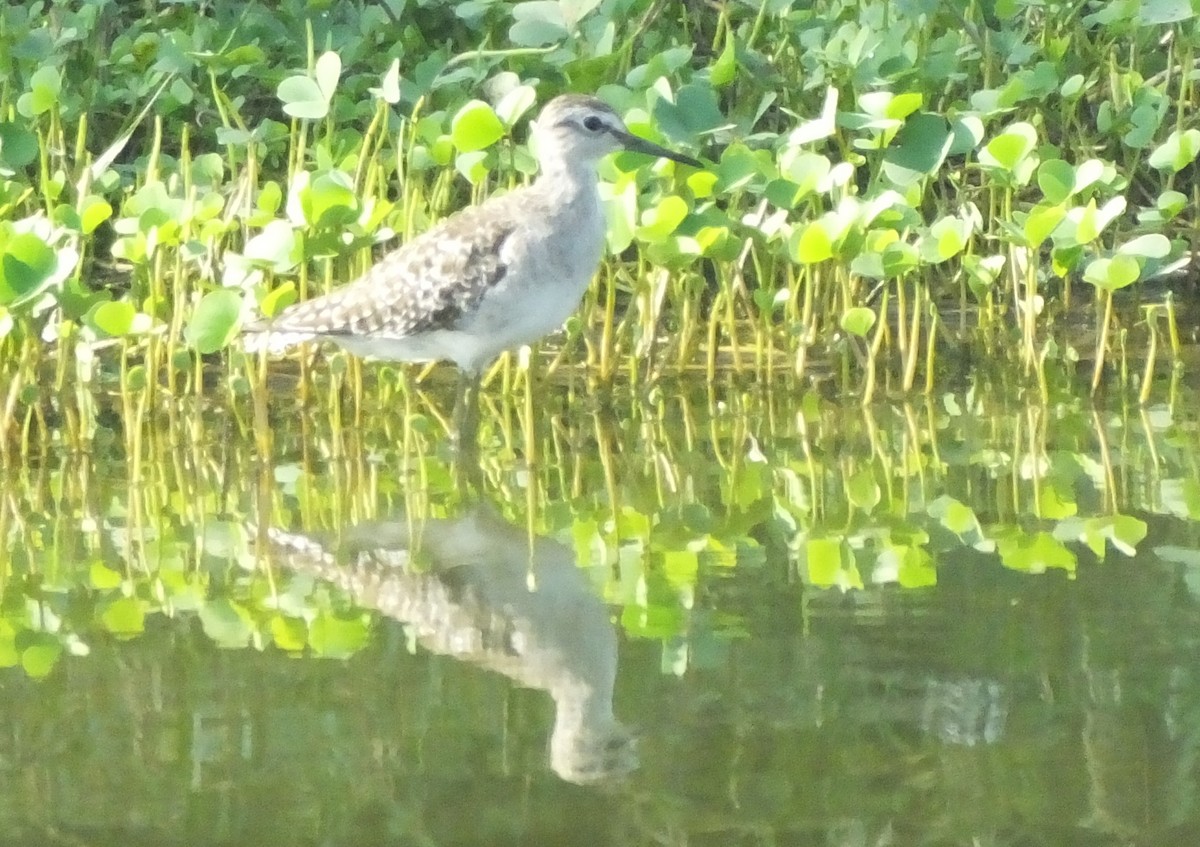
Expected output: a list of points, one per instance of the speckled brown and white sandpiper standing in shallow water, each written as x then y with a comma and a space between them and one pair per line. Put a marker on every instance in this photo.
488, 279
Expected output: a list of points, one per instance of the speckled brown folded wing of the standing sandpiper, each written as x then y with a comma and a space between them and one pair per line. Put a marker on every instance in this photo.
424, 286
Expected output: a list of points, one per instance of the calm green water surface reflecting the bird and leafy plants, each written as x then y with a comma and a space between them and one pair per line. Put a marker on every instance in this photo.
731, 622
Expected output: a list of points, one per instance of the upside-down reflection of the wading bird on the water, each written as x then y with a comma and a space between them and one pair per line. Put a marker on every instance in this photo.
483, 591
